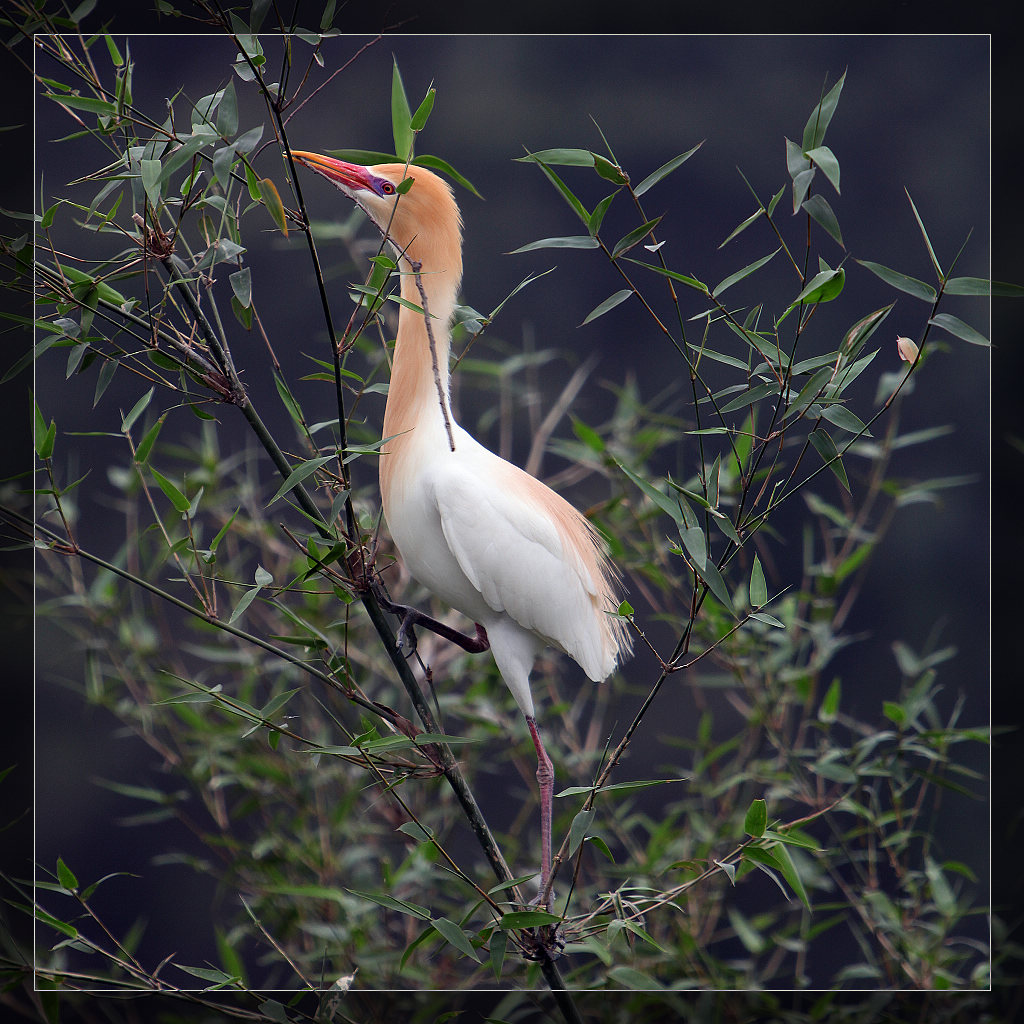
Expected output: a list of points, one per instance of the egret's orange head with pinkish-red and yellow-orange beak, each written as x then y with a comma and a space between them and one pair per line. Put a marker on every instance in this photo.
423, 223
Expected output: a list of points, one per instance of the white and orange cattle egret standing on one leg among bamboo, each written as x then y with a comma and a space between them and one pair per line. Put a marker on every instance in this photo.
481, 534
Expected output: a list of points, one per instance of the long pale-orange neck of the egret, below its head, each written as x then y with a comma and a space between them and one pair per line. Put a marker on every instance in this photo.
418, 396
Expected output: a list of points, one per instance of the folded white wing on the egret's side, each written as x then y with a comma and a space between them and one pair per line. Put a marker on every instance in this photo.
513, 552
